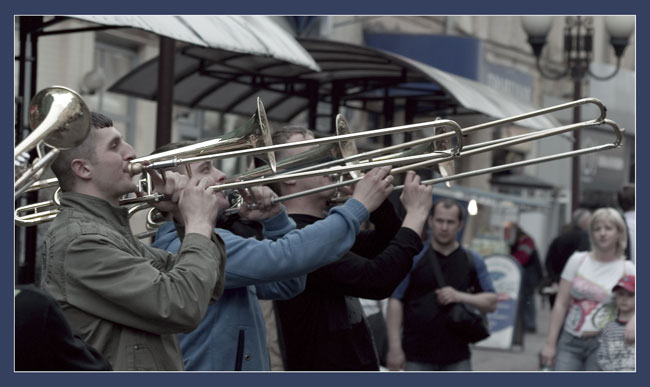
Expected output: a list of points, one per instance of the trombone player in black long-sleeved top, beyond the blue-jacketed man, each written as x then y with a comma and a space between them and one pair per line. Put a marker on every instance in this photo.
324, 327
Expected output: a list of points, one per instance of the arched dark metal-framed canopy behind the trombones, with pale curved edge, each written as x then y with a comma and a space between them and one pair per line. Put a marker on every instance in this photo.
351, 76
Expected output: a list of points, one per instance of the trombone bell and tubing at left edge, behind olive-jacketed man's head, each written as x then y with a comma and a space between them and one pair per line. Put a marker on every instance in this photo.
60, 119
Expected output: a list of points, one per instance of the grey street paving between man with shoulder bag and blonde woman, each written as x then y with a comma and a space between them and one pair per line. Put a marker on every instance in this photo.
520, 358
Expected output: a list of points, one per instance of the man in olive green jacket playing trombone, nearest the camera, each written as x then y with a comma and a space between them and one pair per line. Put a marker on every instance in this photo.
126, 299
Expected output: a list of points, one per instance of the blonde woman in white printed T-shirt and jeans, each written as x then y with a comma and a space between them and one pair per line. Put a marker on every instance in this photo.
584, 303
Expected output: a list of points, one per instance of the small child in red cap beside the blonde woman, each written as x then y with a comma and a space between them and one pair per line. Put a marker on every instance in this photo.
614, 354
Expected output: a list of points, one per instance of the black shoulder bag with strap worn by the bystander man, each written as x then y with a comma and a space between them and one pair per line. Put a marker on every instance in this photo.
464, 320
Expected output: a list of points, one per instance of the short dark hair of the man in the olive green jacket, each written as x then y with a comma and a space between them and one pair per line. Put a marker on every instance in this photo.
85, 150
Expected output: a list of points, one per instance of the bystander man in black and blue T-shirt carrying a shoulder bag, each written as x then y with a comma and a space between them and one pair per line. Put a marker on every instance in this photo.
420, 304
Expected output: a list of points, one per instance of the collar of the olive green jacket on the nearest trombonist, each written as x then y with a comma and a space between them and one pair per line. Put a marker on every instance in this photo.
99, 208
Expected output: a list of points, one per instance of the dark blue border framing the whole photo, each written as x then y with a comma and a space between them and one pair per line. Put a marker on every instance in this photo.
346, 7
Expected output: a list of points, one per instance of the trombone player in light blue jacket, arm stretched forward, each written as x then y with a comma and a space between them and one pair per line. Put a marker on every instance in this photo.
232, 333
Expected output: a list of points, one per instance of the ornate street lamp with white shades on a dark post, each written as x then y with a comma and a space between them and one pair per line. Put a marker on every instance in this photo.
578, 54
